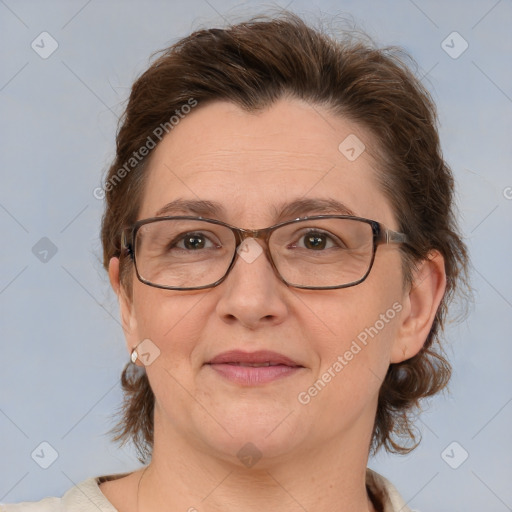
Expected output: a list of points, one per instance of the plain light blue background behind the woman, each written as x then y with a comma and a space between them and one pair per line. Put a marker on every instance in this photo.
62, 346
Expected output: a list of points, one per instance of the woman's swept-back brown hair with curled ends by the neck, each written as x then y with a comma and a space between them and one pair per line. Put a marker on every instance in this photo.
253, 64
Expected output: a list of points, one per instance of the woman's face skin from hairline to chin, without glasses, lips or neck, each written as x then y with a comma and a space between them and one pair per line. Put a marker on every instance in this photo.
252, 165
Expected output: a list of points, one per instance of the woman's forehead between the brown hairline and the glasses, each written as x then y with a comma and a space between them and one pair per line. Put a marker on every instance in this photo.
253, 164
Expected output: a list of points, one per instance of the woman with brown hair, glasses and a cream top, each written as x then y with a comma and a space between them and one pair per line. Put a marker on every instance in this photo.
279, 232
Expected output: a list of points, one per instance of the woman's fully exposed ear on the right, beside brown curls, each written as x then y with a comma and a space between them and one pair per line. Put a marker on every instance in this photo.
420, 306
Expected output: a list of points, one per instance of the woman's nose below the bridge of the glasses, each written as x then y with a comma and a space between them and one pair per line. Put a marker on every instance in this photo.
252, 294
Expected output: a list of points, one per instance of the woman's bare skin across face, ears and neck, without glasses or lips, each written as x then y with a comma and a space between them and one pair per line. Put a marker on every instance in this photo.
313, 456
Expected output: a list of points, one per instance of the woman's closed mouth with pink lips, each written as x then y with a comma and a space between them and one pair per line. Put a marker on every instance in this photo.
253, 368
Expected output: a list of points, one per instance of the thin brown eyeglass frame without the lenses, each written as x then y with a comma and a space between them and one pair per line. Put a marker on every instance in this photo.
381, 235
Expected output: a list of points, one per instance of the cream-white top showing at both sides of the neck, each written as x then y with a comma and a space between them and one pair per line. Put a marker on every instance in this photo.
87, 497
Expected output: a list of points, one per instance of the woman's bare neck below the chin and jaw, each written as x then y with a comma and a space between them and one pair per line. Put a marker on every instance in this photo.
183, 477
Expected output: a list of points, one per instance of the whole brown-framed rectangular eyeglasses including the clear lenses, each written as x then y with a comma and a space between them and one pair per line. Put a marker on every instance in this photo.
319, 253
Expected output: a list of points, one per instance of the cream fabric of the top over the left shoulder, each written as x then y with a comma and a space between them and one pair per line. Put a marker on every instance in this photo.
83, 497
